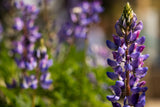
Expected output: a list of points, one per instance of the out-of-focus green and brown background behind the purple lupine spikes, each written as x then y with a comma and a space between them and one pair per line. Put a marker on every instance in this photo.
79, 66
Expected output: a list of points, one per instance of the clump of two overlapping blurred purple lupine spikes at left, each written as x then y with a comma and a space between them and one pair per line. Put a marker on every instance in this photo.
28, 57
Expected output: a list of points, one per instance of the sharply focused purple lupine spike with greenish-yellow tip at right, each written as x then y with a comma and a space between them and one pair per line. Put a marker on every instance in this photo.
128, 61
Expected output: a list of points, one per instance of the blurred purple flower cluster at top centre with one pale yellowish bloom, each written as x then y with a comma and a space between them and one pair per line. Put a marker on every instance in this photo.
82, 16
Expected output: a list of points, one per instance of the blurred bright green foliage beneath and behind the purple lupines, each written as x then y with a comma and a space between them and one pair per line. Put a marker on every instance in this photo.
71, 86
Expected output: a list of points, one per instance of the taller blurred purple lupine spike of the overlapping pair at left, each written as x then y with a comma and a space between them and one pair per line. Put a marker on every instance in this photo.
24, 48
